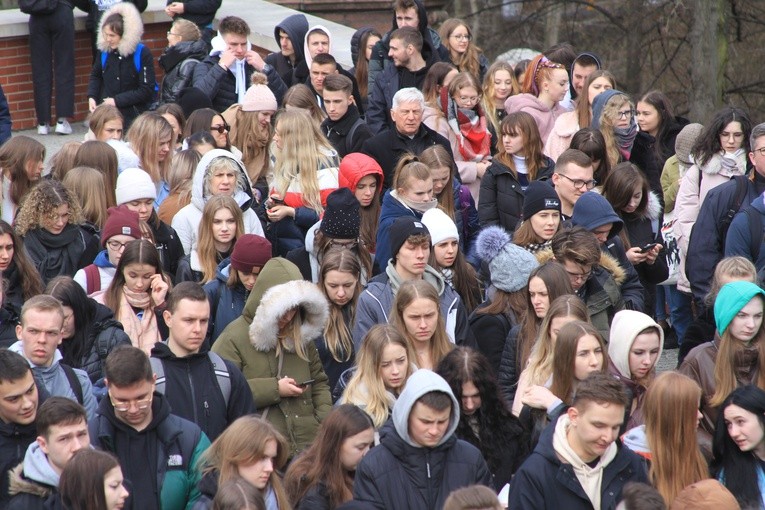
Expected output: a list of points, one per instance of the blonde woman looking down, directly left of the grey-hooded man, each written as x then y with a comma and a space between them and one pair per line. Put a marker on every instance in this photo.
384, 364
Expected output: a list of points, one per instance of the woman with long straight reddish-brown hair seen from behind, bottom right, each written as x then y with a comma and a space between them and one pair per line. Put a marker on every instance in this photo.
672, 417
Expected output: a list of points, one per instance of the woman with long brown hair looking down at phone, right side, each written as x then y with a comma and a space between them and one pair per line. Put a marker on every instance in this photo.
628, 190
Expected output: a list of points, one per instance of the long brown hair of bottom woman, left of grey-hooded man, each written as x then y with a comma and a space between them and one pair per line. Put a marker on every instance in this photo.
321, 462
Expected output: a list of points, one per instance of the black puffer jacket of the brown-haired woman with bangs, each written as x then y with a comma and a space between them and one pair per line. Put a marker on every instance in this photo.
500, 200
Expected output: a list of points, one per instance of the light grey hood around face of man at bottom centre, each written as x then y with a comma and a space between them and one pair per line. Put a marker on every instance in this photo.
421, 382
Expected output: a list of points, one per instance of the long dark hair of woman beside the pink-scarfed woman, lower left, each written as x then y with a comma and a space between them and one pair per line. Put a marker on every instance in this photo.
69, 292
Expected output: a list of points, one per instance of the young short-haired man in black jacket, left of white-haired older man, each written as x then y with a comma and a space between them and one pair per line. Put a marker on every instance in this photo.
344, 127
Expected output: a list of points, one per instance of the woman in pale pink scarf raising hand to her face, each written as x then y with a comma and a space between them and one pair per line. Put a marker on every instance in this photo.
137, 295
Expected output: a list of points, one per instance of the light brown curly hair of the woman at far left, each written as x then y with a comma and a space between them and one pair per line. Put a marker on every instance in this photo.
42, 201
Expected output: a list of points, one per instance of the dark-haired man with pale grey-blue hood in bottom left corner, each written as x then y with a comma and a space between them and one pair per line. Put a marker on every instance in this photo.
62, 425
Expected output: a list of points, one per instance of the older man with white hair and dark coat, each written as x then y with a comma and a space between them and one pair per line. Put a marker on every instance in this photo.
408, 134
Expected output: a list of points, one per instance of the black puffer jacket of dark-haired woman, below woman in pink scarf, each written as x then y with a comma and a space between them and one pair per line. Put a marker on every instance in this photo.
105, 333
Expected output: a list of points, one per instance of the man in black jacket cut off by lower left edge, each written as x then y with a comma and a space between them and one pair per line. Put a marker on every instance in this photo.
18, 410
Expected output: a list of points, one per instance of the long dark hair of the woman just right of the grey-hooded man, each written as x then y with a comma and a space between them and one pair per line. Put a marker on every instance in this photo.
500, 431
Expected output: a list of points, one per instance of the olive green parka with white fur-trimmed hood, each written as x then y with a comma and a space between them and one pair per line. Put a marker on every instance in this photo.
250, 342
